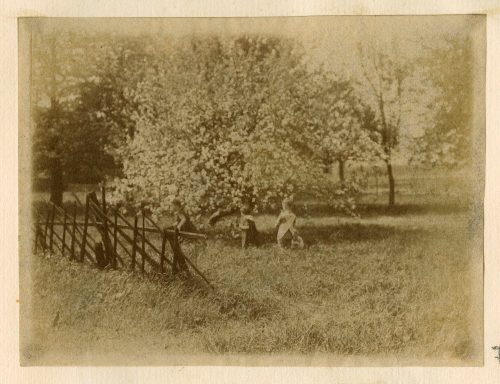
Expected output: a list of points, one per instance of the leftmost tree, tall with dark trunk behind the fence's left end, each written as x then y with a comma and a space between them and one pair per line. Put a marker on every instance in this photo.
56, 78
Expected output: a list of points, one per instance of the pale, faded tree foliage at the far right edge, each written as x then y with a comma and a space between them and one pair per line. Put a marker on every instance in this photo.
447, 68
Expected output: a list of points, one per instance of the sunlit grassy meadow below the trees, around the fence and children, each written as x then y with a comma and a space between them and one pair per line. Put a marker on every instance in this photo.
385, 289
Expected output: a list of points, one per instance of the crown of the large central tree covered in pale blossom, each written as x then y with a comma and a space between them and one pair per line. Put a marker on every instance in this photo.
223, 121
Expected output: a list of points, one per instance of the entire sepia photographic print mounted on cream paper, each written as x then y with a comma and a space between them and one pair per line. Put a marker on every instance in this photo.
259, 191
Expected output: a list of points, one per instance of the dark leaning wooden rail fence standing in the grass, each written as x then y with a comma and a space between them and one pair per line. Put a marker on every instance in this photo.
106, 238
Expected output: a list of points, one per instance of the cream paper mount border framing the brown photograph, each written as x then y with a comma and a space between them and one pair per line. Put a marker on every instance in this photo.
10, 194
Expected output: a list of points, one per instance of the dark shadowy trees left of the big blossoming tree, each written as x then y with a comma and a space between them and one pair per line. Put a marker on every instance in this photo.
82, 104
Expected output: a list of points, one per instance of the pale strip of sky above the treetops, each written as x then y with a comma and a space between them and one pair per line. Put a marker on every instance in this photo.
328, 39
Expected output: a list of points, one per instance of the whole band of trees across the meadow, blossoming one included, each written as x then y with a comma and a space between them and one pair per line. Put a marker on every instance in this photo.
220, 120
